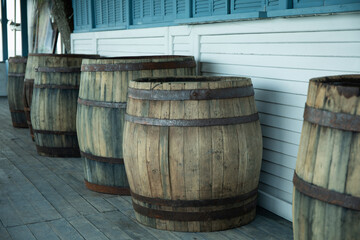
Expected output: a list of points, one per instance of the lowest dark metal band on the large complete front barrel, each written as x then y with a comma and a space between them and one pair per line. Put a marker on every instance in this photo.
196, 216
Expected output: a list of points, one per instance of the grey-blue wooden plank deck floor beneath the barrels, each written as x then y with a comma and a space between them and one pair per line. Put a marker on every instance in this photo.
45, 198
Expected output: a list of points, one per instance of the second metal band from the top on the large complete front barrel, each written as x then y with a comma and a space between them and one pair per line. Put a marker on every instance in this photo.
192, 122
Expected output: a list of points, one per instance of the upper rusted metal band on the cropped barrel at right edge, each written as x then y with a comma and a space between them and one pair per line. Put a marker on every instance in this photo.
342, 121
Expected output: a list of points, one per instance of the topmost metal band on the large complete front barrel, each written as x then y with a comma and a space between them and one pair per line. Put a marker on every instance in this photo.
196, 94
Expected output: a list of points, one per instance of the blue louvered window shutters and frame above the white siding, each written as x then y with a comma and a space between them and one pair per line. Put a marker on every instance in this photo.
95, 15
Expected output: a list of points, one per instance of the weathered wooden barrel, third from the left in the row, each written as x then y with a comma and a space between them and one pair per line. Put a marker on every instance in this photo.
54, 102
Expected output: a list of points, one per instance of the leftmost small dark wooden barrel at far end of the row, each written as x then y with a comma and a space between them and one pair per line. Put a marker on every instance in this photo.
16, 73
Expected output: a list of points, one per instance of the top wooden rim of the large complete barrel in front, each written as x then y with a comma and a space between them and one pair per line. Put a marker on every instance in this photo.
183, 79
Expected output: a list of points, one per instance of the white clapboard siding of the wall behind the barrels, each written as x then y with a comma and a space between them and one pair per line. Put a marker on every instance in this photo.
280, 55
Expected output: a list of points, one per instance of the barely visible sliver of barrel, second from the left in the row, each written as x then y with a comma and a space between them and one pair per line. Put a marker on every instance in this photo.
28, 88
